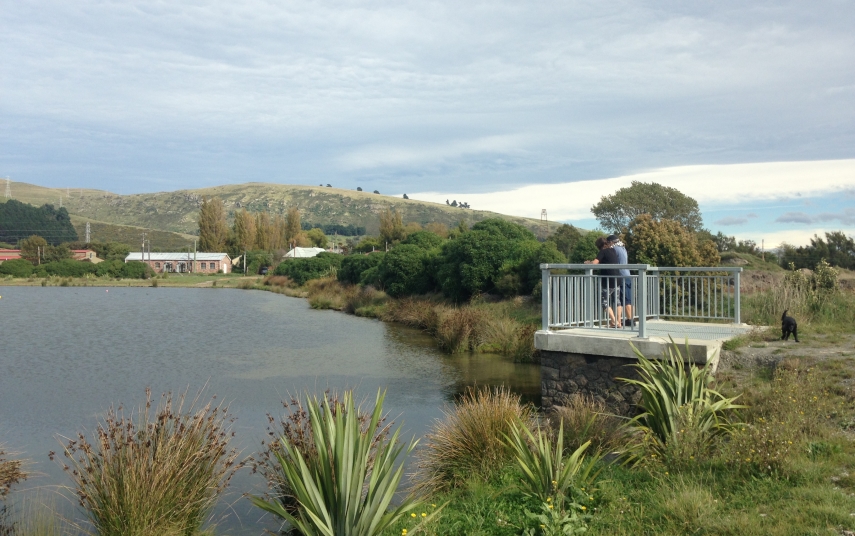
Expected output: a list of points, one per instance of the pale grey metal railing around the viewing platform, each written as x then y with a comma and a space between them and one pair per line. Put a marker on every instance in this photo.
580, 296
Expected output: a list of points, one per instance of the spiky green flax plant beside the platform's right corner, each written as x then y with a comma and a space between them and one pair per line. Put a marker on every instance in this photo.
682, 414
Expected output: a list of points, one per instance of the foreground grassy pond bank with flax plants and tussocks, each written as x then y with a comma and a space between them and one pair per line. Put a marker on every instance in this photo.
768, 454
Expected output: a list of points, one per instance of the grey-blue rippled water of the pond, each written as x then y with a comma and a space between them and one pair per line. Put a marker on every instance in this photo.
68, 353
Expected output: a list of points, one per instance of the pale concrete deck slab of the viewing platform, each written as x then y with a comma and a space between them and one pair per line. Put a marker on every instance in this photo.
704, 340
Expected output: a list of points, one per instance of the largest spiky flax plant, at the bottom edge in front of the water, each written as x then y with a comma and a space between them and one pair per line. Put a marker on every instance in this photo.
345, 487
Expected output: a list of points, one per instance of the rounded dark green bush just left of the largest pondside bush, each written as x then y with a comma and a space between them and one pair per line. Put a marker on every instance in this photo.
404, 271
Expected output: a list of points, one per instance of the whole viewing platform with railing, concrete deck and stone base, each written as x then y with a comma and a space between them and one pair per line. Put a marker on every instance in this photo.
590, 319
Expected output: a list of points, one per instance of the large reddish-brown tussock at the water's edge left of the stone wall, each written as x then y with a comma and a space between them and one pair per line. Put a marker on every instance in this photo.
470, 440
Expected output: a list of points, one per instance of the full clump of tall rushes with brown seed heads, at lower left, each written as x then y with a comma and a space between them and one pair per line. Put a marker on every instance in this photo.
158, 471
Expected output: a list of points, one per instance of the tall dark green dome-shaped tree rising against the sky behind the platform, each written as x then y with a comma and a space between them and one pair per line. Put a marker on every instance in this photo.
618, 210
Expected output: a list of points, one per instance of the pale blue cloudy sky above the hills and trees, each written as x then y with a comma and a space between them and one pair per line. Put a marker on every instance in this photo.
749, 107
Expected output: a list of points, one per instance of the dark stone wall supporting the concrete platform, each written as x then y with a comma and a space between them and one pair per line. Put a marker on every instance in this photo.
566, 374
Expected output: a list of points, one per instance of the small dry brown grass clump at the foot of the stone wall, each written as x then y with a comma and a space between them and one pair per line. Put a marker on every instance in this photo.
587, 419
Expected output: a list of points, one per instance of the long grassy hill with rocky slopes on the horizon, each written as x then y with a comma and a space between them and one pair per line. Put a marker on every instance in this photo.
176, 212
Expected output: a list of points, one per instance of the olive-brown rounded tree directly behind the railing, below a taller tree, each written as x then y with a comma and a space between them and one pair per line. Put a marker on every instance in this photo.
667, 243
